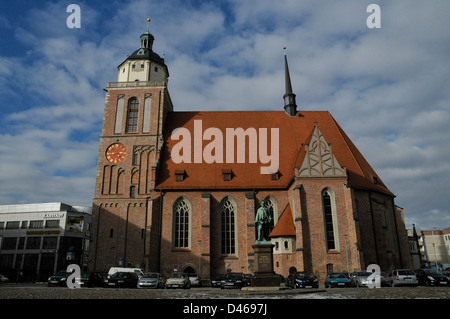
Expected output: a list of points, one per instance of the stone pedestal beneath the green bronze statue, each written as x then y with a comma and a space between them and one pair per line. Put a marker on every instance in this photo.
264, 275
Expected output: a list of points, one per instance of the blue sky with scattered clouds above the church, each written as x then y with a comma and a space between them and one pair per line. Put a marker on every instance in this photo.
387, 87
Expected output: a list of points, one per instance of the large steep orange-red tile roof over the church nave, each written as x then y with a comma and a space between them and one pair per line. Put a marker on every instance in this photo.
294, 132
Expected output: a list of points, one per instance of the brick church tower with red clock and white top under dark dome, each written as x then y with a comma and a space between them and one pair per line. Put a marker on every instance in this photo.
135, 110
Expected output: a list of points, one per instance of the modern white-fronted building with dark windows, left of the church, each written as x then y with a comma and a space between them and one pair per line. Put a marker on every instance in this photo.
36, 240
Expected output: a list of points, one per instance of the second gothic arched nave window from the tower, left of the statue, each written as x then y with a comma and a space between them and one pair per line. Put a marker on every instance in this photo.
228, 226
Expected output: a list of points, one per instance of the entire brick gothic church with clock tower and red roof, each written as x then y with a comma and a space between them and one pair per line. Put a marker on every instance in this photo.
180, 190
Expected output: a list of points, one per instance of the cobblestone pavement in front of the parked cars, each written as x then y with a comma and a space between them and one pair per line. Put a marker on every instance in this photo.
41, 291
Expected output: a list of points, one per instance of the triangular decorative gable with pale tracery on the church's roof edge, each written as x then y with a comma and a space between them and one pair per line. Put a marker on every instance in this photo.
319, 159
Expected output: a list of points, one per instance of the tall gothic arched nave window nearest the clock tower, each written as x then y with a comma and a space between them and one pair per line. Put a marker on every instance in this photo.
181, 223
